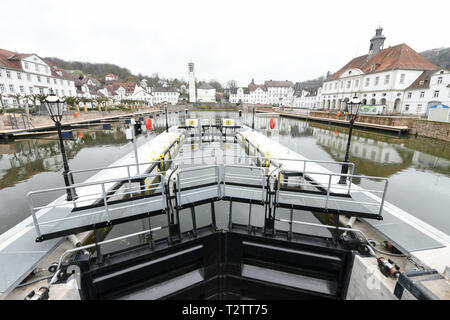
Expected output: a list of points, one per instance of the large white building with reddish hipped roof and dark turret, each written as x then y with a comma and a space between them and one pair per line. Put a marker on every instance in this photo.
377, 78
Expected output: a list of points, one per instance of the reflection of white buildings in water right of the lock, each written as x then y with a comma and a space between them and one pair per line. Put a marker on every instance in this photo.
375, 154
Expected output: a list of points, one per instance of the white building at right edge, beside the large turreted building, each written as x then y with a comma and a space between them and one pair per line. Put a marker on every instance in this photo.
429, 89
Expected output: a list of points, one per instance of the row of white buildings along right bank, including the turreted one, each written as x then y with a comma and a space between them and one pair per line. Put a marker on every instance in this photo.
397, 79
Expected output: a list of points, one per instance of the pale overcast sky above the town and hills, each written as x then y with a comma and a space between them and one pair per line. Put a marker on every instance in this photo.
240, 40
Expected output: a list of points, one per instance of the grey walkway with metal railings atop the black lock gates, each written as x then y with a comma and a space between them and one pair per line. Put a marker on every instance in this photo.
98, 199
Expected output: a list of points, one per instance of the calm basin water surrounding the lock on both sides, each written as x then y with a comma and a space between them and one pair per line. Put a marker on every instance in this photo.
418, 168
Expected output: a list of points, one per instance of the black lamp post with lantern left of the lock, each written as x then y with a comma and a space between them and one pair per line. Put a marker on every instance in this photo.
55, 108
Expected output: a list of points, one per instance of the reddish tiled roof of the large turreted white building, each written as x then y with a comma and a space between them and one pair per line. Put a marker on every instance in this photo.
400, 56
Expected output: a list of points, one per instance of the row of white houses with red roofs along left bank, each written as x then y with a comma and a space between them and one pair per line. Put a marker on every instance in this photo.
23, 76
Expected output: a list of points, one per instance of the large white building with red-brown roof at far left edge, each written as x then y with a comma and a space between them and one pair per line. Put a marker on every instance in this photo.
28, 74
